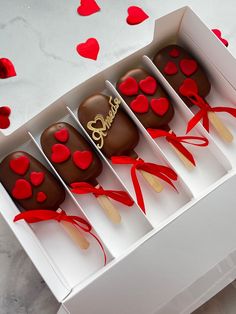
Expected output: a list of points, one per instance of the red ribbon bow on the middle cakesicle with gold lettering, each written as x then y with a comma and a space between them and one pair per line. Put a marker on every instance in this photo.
164, 173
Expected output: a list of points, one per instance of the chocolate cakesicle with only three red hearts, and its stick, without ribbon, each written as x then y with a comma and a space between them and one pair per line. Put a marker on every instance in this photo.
75, 161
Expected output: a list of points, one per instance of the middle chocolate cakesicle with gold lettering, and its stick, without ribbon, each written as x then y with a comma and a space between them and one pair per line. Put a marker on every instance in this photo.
114, 133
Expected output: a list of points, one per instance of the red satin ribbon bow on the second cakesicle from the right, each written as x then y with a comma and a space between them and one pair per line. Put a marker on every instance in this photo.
177, 140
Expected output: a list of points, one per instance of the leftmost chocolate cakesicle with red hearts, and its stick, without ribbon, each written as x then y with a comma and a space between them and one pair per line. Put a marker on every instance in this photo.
33, 187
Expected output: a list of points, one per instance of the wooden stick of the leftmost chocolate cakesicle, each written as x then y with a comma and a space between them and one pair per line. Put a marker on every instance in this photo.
74, 233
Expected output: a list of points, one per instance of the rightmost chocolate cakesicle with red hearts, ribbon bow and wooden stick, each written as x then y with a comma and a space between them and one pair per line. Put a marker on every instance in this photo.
188, 78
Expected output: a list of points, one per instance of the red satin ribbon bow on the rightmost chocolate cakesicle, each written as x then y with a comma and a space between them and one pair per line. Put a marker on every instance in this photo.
202, 114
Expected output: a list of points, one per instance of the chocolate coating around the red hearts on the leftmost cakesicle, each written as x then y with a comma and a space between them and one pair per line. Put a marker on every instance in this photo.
50, 186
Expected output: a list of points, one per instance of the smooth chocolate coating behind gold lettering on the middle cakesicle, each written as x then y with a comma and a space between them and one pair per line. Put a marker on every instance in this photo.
122, 136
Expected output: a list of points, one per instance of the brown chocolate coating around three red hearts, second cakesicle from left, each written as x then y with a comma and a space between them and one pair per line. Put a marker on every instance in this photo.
69, 172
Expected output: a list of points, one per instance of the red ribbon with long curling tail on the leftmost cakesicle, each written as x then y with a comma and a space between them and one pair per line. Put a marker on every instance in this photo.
38, 215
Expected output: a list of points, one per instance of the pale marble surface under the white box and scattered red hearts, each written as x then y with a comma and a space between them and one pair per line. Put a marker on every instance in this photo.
40, 37
